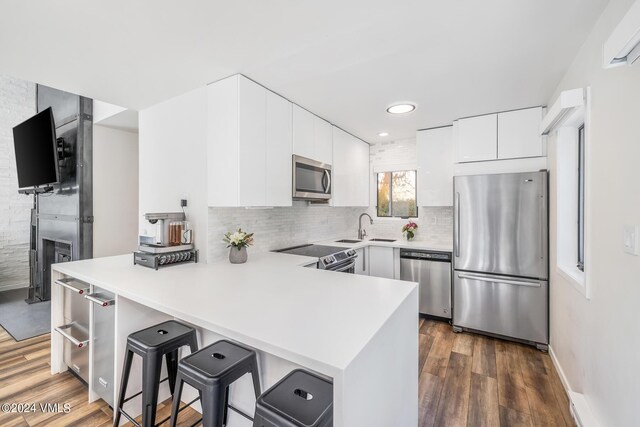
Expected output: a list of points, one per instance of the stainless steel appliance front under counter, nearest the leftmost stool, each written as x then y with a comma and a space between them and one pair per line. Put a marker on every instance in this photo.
103, 343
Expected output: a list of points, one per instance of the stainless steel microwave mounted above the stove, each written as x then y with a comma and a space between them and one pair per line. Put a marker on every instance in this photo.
311, 179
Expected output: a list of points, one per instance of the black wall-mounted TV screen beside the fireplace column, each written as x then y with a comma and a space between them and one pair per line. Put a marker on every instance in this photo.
36, 150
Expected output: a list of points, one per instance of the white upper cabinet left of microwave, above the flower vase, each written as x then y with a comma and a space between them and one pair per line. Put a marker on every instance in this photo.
249, 145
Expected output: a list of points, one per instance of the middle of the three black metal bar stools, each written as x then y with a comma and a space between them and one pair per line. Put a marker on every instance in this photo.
211, 371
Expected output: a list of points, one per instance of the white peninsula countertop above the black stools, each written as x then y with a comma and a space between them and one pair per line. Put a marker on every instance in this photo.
316, 318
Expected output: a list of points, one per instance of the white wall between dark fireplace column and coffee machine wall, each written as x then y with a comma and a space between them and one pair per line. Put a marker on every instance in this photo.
115, 191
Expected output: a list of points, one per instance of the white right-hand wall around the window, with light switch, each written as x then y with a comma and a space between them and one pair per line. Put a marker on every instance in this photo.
597, 341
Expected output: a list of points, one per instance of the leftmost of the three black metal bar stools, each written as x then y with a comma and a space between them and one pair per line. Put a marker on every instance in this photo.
164, 339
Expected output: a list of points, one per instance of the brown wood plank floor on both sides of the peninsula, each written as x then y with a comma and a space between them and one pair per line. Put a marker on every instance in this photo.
465, 380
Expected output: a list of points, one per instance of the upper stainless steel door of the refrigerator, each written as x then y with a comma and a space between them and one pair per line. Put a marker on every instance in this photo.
500, 224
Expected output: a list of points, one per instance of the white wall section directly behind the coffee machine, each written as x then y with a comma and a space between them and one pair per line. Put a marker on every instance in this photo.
173, 161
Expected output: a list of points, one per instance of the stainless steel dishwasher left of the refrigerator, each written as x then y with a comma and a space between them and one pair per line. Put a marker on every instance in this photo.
432, 271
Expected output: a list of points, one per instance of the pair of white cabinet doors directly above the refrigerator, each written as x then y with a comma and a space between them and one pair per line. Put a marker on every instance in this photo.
501, 136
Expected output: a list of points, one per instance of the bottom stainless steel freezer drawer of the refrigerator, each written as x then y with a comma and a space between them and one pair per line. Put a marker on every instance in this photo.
502, 305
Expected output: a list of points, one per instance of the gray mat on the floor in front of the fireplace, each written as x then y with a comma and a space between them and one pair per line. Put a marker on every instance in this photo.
22, 320
